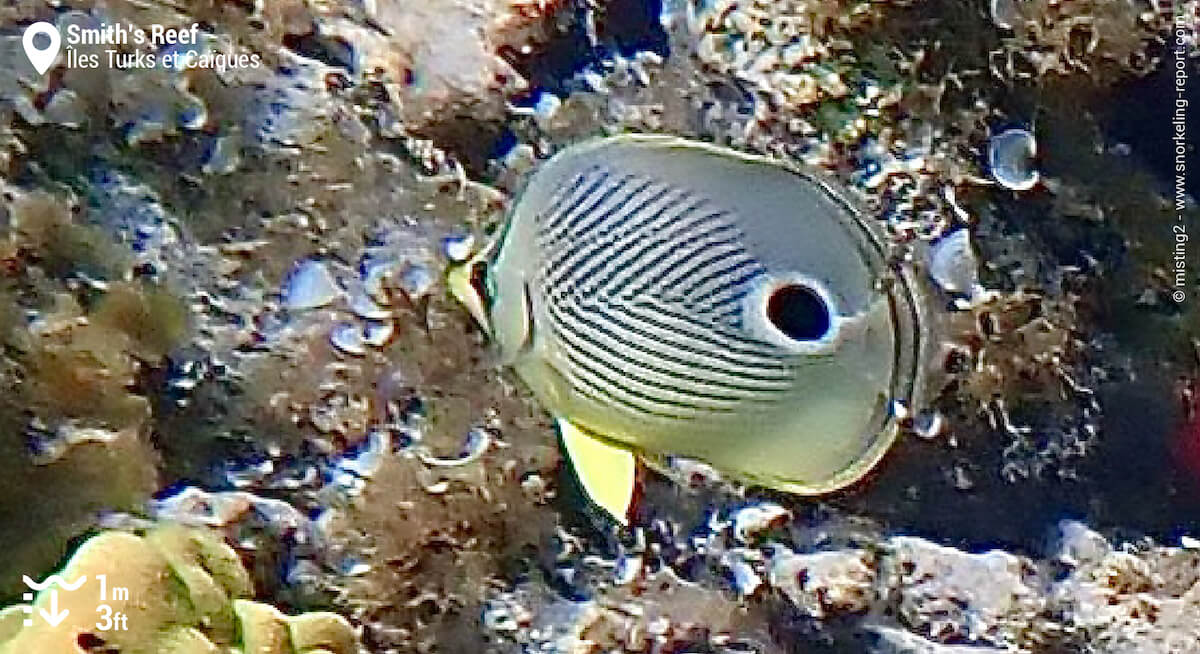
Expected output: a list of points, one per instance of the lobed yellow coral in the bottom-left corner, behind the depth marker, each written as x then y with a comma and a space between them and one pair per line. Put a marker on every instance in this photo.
177, 591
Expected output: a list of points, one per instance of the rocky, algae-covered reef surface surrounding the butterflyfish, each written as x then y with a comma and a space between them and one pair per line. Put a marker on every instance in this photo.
223, 307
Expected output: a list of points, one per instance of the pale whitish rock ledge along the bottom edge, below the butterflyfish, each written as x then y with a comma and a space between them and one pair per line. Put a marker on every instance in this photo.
908, 595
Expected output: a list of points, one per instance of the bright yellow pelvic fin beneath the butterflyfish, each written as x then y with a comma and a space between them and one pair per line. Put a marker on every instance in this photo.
607, 472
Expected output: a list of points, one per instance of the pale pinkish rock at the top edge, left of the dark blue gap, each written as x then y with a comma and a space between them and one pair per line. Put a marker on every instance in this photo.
445, 69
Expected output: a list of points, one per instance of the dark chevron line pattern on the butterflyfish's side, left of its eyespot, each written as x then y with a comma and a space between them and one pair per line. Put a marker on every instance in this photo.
668, 272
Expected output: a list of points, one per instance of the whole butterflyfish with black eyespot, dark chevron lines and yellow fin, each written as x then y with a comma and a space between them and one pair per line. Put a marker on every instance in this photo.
663, 297
